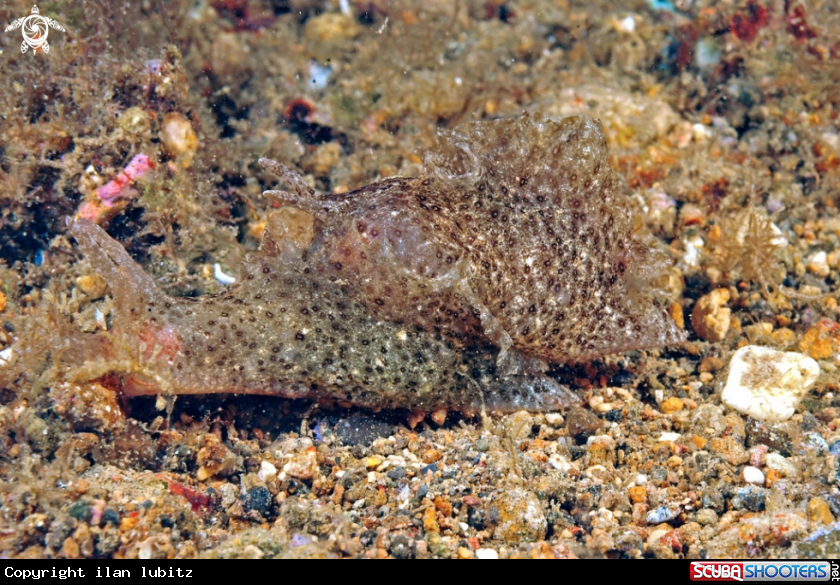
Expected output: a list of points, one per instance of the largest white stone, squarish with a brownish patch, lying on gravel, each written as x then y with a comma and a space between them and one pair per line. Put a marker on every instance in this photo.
767, 384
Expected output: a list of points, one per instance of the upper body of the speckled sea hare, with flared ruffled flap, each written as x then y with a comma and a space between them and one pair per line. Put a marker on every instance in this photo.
519, 234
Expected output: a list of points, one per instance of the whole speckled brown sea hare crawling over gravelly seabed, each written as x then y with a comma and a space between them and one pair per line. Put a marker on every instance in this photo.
451, 291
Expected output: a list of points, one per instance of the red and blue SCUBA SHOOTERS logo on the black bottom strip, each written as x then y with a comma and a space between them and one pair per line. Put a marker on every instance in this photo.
765, 571
